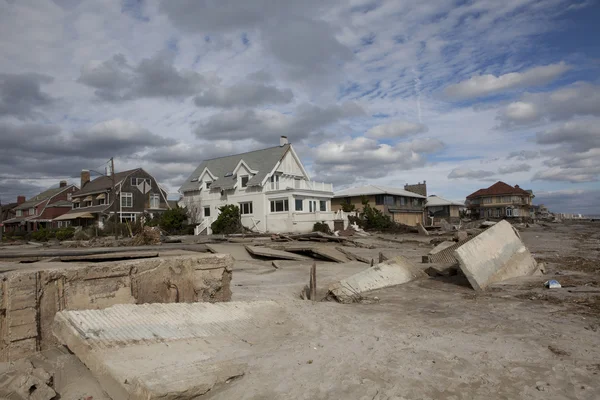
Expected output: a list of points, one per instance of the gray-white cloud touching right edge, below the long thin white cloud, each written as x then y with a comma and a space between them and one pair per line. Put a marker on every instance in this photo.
577, 99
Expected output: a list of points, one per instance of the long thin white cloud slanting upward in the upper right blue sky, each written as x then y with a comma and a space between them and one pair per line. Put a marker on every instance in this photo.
485, 85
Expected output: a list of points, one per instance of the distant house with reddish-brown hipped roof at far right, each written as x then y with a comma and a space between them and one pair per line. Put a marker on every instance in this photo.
501, 201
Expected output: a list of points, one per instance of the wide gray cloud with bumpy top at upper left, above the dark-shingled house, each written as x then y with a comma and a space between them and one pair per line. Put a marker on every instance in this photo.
116, 80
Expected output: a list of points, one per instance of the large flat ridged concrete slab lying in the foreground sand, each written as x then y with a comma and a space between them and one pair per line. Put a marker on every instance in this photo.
161, 351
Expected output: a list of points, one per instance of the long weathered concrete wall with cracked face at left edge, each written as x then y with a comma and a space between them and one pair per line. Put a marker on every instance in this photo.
30, 295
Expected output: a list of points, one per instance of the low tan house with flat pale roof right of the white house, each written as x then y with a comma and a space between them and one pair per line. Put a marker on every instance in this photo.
403, 206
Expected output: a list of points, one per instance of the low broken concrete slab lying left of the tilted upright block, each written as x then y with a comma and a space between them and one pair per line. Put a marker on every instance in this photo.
388, 273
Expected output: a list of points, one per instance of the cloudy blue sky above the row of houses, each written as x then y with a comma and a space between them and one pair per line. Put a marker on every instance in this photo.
460, 94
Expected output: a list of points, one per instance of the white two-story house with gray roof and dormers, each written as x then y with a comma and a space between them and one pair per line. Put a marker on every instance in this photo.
271, 187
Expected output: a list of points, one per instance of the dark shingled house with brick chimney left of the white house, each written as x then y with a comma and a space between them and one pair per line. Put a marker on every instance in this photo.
138, 192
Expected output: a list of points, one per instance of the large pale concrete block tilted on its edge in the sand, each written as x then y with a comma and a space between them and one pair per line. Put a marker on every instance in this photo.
493, 256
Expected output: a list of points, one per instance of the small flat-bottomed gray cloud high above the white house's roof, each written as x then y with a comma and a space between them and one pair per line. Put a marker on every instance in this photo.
248, 94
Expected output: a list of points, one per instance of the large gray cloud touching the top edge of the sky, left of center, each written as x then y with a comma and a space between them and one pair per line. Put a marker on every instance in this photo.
291, 30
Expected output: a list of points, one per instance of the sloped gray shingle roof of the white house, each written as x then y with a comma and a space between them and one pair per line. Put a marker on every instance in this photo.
262, 161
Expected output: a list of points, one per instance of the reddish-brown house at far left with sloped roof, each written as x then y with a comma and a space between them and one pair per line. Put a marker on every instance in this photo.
40, 211
